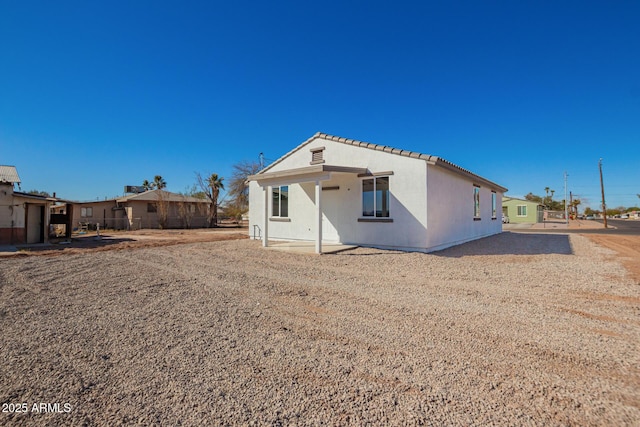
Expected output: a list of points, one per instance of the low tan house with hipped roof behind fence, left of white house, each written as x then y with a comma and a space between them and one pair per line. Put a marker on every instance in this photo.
143, 210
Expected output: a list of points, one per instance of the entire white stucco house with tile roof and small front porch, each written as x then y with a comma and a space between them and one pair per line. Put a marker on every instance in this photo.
339, 190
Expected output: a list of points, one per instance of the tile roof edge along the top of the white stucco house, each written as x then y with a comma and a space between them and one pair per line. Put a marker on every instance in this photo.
435, 160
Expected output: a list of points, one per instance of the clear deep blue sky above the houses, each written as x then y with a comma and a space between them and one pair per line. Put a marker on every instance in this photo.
97, 95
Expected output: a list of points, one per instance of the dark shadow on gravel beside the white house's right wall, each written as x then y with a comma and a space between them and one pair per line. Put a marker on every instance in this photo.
508, 243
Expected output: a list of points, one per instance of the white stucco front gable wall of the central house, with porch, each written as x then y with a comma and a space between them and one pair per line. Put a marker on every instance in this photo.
343, 207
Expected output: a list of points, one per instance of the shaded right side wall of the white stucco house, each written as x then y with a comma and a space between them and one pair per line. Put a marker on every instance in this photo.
451, 206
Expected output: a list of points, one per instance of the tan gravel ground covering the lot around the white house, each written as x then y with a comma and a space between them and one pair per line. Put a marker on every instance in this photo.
516, 329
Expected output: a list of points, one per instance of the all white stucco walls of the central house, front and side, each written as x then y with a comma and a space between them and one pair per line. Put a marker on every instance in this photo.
443, 219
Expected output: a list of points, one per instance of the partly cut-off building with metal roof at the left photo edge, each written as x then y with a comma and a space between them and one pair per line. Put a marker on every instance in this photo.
24, 218
